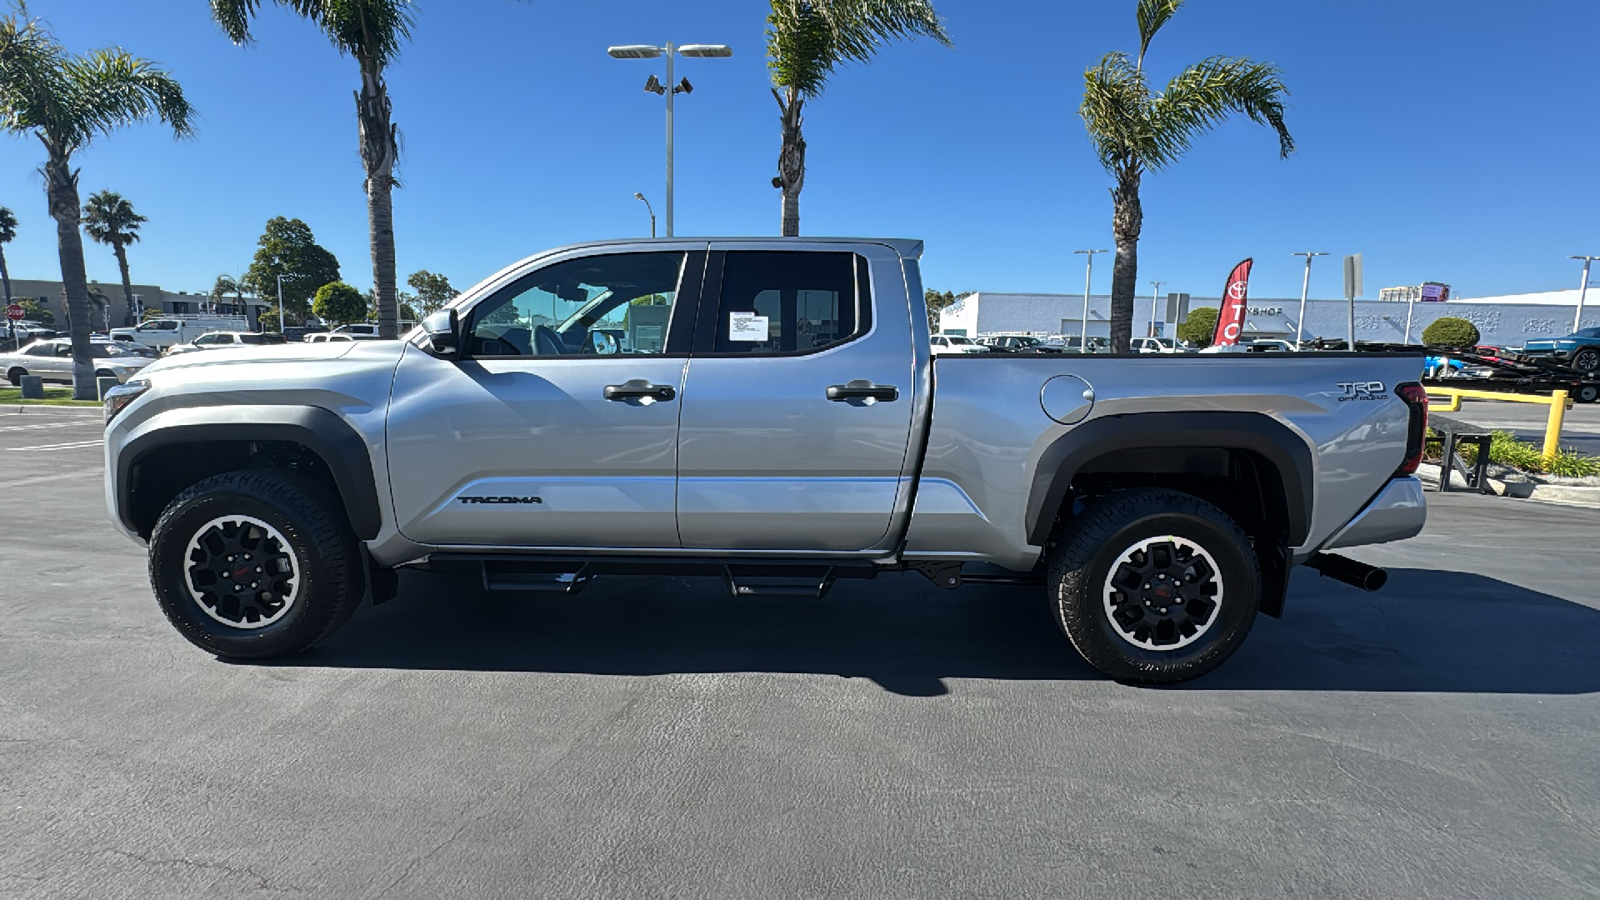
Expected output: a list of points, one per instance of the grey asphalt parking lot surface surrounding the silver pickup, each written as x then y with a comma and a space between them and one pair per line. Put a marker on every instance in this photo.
660, 739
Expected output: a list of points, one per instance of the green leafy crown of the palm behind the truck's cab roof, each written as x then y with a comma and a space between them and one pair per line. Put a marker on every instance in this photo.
809, 39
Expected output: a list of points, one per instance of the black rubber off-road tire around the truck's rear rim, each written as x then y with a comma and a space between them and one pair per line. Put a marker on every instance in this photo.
1087, 547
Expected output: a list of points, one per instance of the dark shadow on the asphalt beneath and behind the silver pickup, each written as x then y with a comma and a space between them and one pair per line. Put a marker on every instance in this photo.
1428, 632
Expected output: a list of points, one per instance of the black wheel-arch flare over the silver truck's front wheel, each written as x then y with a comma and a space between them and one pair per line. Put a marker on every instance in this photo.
154, 467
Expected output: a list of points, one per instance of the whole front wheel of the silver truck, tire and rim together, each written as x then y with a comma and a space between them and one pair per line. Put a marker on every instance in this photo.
255, 565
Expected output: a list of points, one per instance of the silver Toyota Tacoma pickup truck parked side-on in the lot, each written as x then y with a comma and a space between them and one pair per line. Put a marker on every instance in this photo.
769, 412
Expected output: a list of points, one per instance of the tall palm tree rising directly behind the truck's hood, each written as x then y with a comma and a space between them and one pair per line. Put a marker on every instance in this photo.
372, 33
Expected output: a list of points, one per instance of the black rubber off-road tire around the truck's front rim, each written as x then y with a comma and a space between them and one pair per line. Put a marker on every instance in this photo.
329, 581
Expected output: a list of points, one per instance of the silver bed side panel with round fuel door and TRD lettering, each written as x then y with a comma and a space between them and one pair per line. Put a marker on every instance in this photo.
990, 432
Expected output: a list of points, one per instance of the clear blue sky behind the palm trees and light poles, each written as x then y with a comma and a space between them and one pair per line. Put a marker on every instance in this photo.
1444, 140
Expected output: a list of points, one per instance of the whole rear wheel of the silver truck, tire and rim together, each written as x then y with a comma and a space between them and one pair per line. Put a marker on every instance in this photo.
1154, 587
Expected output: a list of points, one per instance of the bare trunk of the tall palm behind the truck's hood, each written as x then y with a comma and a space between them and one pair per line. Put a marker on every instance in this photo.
380, 150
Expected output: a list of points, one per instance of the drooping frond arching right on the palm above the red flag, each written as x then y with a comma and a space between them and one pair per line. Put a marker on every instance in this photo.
1207, 94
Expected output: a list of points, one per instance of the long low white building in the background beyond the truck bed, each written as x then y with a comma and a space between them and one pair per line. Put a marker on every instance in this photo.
1502, 321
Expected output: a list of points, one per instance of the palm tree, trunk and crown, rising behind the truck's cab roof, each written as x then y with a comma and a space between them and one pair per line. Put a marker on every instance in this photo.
806, 42
